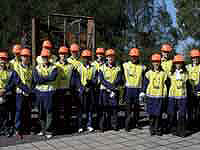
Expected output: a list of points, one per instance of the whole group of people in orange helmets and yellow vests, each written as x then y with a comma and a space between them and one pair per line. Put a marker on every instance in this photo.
170, 88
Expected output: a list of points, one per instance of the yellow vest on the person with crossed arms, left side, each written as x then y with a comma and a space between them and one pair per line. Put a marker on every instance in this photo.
44, 72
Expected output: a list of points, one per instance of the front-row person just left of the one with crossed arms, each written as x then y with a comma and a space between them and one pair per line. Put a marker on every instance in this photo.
23, 101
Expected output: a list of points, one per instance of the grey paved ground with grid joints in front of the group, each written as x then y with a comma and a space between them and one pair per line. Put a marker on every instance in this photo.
121, 140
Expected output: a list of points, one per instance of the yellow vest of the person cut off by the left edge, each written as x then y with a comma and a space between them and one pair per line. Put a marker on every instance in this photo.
4, 78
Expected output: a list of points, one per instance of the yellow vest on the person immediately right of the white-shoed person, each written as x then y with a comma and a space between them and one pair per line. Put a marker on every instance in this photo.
109, 74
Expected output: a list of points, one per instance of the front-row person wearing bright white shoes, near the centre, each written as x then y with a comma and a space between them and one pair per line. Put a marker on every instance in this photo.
86, 80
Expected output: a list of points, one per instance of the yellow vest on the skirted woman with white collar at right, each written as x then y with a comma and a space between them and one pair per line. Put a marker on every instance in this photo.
178, 87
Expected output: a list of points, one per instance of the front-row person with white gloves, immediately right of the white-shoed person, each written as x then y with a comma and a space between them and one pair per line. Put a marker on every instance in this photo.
110, 79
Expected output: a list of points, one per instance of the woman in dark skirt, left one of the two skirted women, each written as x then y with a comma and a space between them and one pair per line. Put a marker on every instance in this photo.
156, 90
